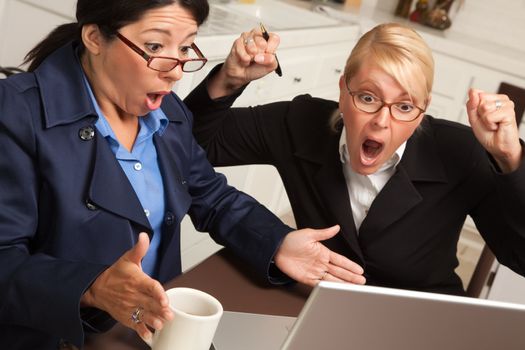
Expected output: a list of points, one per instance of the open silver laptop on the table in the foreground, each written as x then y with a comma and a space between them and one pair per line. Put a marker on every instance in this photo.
342, 316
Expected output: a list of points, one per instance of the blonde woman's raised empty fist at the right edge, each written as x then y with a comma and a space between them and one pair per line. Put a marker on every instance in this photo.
493, 121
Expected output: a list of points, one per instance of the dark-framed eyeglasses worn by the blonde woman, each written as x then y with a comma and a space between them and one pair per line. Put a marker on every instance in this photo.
369, 103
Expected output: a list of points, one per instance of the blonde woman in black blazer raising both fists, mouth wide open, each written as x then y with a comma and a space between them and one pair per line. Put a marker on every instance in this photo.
399, 183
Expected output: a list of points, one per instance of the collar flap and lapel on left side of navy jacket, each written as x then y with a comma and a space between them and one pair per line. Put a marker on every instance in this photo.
109, 187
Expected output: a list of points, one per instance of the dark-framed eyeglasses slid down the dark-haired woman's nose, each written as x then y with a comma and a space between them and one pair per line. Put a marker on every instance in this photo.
195, 59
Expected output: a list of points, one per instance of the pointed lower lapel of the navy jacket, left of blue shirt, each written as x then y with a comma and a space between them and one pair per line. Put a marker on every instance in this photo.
110, 188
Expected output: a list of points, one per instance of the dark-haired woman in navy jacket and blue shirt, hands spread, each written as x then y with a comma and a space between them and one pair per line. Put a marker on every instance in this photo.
98, 169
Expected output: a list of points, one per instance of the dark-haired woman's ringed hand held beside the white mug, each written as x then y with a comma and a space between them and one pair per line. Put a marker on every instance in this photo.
124, 287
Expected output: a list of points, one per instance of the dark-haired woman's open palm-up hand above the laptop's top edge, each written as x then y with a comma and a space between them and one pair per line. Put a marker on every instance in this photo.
304, 258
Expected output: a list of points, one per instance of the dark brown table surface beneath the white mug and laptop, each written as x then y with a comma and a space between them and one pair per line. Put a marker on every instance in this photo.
234, 285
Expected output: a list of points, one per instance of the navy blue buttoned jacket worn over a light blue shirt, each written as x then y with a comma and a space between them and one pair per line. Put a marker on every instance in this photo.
68, 211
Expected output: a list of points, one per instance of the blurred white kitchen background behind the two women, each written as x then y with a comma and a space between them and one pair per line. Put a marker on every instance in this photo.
476, 43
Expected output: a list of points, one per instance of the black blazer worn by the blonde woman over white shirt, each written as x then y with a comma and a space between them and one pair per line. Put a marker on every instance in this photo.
409, 237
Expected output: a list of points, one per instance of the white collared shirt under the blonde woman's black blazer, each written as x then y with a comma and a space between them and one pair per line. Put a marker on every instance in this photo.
363, 189
